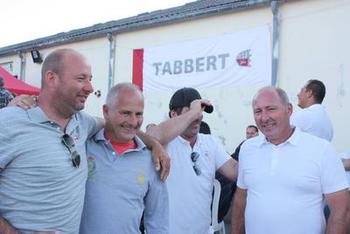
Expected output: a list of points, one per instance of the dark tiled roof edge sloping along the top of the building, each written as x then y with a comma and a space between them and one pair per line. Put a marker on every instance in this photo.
141, 21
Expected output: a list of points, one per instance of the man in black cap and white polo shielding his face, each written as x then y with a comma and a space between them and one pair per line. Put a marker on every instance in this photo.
195, 158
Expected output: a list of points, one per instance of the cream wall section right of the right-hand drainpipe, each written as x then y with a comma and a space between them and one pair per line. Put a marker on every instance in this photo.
315, 45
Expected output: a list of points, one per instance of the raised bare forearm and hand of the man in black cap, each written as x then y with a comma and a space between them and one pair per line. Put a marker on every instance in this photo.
173, 127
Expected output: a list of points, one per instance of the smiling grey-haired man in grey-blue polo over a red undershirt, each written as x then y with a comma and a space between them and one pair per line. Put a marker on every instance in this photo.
122, 182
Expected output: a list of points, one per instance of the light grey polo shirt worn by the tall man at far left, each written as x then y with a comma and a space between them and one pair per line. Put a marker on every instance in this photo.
40, 190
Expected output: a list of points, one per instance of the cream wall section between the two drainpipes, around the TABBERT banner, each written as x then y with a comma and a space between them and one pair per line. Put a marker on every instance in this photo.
232, 104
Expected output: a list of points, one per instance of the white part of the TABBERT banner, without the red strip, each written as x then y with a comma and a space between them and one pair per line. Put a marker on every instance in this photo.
240, 58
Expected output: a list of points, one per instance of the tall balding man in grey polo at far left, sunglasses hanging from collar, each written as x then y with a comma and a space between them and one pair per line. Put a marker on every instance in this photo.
43, 166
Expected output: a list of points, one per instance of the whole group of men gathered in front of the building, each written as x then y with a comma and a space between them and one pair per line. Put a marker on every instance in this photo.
64, 171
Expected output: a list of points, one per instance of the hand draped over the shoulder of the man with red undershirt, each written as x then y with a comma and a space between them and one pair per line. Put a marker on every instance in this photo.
161, 160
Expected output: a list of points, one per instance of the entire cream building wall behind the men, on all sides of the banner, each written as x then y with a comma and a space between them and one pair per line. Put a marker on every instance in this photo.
313, 44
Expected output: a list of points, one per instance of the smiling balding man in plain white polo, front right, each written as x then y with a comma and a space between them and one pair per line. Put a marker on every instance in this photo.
285, 174
